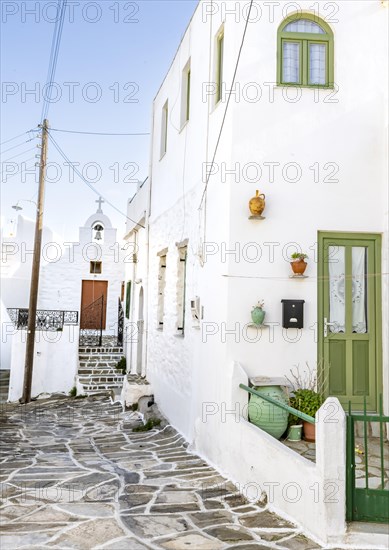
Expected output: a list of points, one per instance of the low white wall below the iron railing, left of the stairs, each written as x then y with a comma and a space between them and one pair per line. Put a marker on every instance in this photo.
55, 362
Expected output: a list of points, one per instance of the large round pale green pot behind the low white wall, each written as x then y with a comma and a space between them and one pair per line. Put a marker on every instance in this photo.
265, 415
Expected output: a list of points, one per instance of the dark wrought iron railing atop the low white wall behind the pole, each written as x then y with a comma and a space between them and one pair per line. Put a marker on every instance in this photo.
46, 319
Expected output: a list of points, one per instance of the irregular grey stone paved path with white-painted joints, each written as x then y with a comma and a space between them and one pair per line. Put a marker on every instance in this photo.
75, 475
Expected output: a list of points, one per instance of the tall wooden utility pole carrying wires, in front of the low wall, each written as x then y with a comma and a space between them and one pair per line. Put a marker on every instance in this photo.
29, 361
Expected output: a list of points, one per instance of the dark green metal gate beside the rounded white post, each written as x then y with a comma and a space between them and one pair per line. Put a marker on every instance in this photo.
368, 501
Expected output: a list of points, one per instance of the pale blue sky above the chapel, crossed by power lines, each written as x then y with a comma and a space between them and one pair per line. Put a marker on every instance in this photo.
113, 57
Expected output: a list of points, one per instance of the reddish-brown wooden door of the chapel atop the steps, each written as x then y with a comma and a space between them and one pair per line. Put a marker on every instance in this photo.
93, 304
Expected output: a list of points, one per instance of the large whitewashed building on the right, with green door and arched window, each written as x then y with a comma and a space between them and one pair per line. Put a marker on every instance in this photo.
304, 125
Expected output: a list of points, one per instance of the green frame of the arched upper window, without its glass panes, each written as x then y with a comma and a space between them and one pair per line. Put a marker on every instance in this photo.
304, 40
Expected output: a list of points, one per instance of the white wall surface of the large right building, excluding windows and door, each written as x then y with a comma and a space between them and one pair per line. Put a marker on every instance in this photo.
346, 129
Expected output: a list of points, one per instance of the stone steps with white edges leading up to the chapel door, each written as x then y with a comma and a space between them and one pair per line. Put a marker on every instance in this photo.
97, 370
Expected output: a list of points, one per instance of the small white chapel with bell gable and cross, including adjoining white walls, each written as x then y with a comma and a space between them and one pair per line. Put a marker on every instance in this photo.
80, 289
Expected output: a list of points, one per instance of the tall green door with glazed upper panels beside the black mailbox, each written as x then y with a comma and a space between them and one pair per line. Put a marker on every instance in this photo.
349, 320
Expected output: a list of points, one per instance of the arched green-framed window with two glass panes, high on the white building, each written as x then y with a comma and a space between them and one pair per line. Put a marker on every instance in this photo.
305, 52
